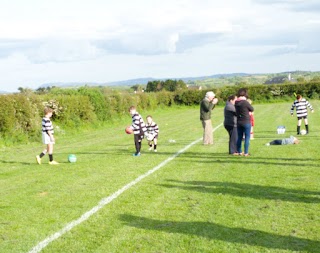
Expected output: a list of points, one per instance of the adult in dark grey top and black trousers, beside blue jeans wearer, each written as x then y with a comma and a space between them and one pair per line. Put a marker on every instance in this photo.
230, 123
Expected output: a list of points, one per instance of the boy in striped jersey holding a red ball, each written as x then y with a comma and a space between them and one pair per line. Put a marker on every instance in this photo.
139, 128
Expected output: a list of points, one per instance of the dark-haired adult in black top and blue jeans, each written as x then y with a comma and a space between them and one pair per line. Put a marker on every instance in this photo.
243, 108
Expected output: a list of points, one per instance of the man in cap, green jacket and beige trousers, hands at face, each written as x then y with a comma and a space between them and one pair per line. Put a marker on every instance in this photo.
206, 106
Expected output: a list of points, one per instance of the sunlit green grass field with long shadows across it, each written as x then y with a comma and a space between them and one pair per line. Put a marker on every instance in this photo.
200, 200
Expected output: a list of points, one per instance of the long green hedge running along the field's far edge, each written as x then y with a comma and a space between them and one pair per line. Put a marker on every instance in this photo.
20, 114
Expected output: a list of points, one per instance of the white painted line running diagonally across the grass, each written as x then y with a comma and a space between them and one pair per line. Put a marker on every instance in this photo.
41, 245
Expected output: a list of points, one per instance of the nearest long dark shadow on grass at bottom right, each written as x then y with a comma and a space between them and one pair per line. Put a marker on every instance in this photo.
214, 231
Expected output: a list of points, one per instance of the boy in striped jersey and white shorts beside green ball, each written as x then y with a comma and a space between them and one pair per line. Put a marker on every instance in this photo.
47, 137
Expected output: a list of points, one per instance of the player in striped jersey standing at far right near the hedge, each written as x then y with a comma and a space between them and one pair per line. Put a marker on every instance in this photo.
301, 105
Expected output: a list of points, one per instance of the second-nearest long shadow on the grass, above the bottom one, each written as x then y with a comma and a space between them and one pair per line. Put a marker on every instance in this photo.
247, 190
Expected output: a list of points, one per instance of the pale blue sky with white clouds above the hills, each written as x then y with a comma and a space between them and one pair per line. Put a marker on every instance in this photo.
44, 41
